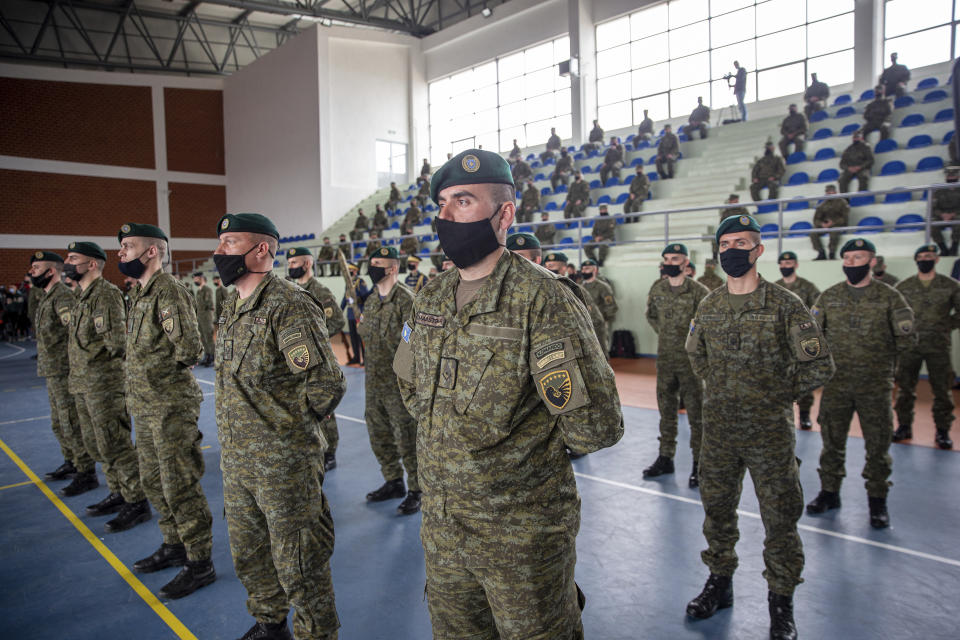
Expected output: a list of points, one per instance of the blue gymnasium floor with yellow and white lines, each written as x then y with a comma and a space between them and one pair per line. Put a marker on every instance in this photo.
62, 577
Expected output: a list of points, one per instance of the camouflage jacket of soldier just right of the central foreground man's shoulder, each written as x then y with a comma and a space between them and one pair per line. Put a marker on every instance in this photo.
669, 312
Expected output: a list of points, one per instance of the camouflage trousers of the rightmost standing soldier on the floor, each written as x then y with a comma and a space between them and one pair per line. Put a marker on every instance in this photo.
940, 371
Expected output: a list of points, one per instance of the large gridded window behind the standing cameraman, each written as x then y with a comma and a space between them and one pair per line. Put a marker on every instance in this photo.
663, 57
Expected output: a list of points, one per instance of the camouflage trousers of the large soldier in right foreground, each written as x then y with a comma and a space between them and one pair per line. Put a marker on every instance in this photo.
775, 474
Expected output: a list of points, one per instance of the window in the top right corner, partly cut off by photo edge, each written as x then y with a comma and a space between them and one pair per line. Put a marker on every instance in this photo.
921, 37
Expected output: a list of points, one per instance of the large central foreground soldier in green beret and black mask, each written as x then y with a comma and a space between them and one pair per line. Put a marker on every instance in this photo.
499, 362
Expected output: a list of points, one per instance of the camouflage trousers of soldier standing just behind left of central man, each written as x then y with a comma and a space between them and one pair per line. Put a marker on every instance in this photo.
393, 433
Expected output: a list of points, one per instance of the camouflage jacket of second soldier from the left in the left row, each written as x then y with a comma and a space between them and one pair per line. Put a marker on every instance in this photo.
97, 339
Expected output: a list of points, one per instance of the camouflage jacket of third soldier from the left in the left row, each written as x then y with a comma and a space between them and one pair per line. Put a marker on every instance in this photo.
163, 342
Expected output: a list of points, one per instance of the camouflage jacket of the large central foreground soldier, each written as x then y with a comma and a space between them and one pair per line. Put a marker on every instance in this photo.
500, 388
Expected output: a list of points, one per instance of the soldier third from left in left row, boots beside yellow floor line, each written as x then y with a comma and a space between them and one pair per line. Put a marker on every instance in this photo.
163, 342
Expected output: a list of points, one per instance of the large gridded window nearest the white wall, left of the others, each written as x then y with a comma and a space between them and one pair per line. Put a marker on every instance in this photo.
518, 96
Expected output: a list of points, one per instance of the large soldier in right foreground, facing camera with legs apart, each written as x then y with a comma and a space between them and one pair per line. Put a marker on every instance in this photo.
757, 349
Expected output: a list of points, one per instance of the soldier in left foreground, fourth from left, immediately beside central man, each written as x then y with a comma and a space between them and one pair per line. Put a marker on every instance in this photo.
276, 380
